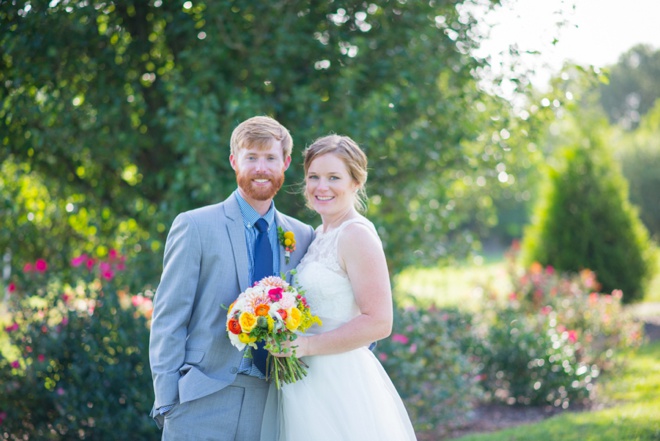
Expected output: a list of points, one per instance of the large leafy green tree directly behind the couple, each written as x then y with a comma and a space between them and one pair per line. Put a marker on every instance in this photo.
123, 111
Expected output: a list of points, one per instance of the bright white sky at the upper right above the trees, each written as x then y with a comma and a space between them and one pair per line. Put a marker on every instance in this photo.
595, 32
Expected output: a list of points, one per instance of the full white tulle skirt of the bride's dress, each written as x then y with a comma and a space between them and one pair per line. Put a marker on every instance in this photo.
344, 397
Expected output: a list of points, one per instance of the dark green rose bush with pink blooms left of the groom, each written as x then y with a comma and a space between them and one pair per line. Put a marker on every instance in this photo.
74, 364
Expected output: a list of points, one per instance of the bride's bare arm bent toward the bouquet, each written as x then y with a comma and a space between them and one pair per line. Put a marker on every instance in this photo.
361, 253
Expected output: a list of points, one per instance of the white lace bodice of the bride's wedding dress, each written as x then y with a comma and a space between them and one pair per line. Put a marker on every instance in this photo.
328, 289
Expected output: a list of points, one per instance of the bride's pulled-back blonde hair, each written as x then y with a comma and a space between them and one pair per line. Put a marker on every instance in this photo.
350, 153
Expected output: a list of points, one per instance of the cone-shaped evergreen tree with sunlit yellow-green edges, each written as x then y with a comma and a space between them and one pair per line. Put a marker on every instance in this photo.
584, 221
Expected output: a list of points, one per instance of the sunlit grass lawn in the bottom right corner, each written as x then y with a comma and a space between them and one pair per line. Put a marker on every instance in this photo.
631, 408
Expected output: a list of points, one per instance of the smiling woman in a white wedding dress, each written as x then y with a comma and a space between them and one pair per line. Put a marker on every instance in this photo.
346, 394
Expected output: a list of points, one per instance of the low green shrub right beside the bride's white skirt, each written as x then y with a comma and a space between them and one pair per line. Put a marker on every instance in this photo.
428, 359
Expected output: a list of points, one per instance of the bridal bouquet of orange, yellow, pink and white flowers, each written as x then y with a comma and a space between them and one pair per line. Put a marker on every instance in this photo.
272, 311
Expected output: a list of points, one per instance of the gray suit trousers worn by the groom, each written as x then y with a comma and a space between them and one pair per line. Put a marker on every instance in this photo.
234, 413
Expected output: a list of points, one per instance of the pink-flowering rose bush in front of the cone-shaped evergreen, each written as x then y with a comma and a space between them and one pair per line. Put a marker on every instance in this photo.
552, 338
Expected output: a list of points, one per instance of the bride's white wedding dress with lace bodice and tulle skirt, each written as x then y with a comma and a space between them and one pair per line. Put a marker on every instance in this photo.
345, 396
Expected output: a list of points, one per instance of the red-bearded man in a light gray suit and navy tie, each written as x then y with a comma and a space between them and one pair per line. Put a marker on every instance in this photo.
204, 387
